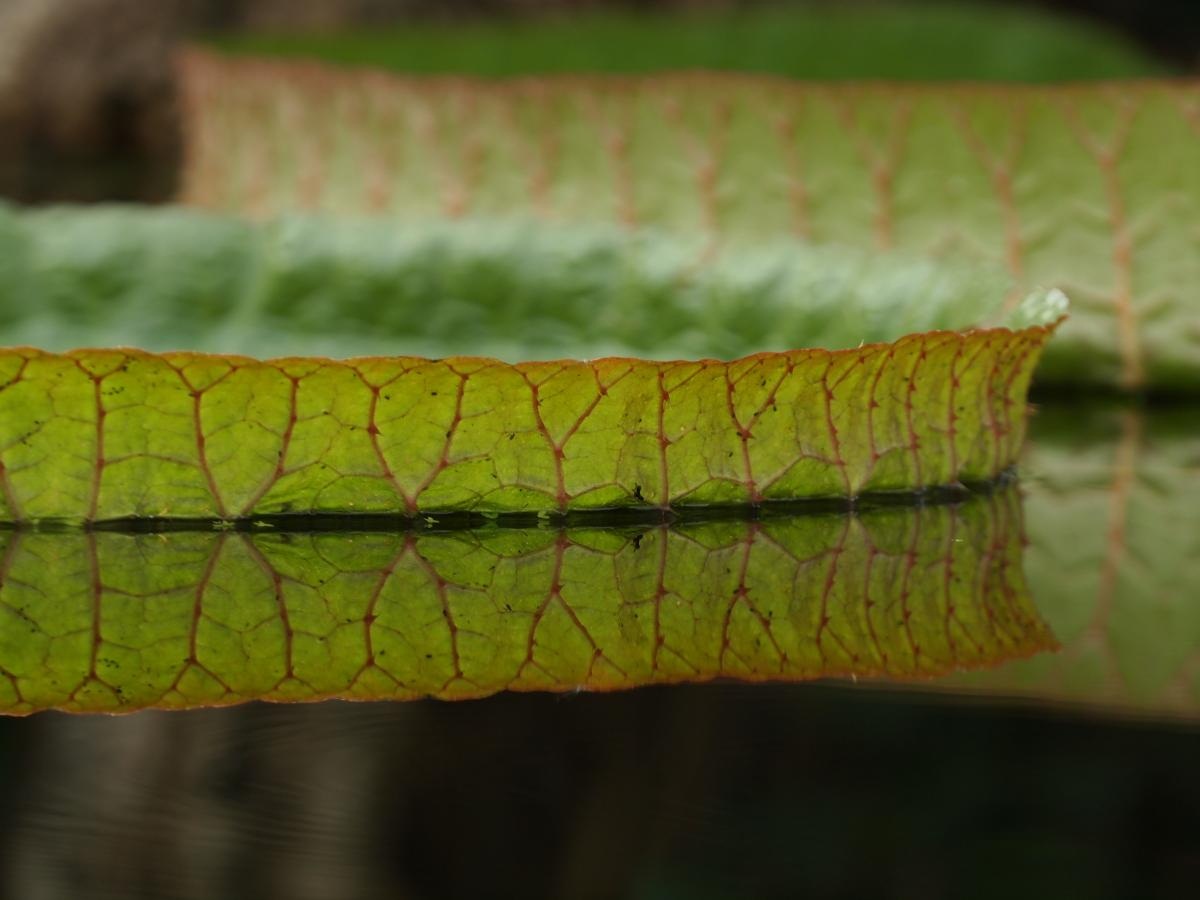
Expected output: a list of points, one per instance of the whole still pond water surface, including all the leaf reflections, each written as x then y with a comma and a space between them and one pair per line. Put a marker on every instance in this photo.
1006, 697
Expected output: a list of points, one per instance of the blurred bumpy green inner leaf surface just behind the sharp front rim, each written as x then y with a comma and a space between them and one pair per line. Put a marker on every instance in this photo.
172, 279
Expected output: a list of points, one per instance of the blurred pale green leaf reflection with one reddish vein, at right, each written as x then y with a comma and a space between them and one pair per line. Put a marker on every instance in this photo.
1113, 513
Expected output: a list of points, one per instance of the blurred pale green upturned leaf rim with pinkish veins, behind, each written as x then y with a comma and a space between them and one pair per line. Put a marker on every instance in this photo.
1095, 190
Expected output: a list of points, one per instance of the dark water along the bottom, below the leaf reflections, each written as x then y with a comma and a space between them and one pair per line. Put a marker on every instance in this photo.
719, 791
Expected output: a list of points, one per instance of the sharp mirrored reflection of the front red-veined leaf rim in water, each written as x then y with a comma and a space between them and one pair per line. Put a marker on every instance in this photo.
110, 621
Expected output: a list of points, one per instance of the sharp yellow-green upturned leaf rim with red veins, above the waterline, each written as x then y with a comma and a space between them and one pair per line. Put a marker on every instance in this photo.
111, 435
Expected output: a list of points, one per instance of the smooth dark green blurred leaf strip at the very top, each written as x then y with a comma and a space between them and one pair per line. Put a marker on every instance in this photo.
910, 41
